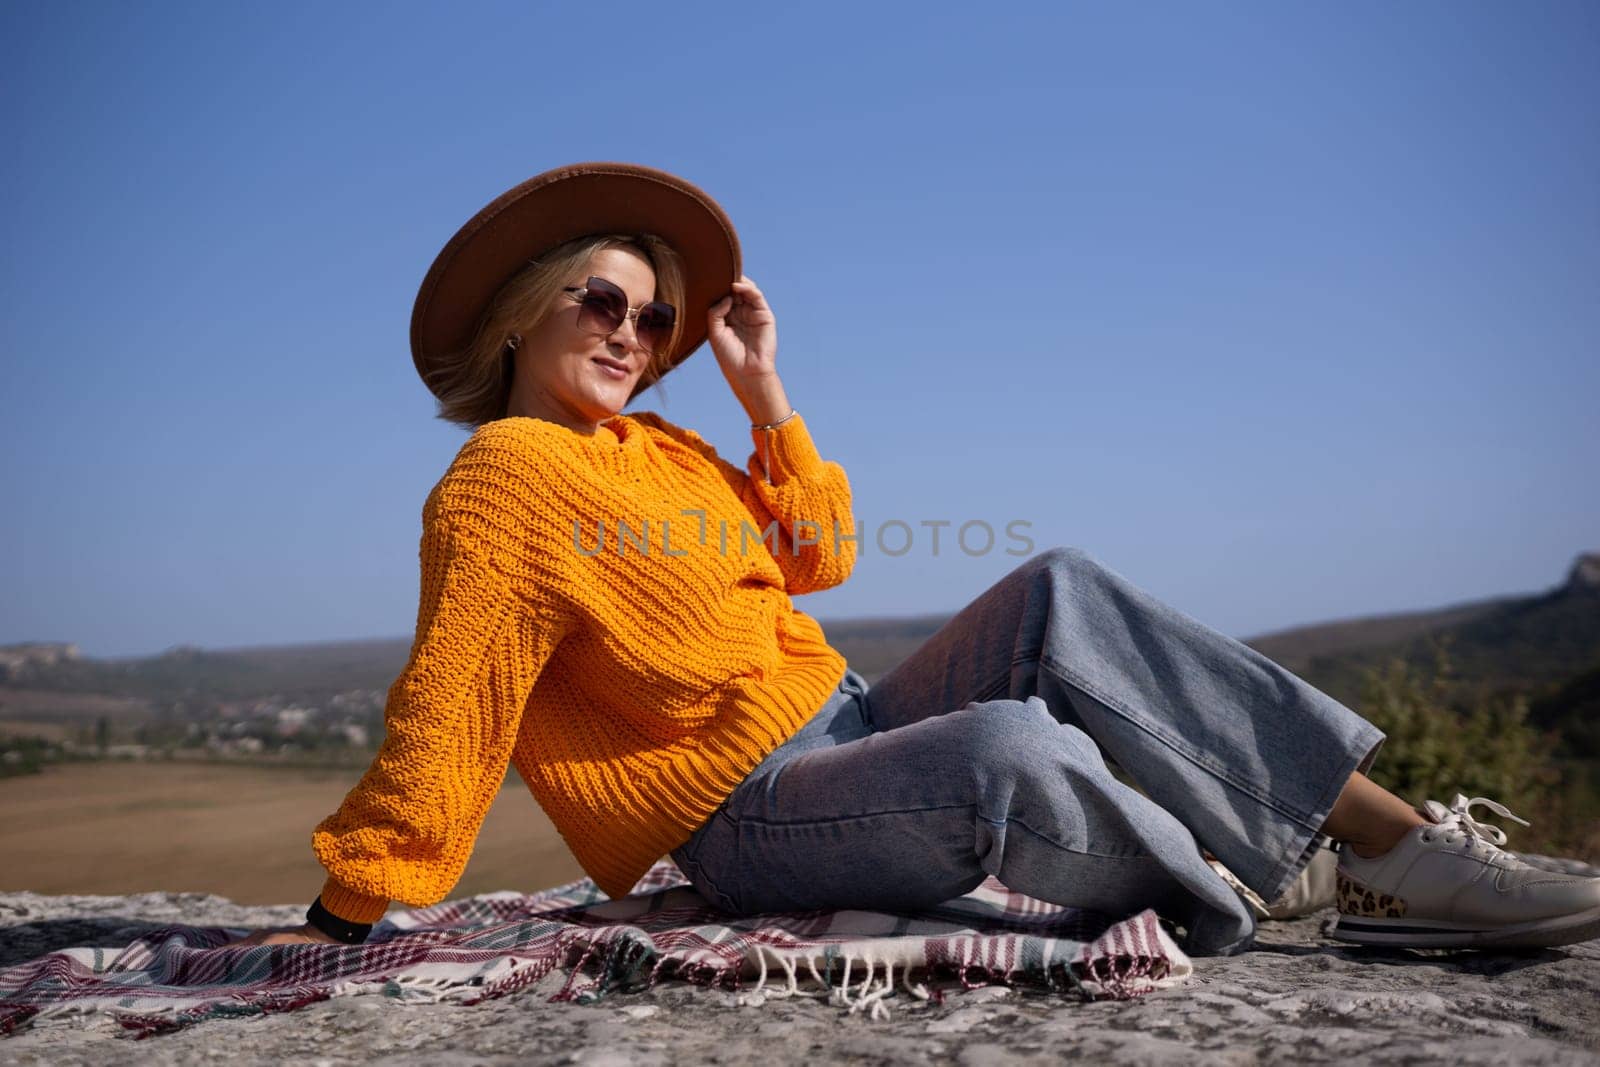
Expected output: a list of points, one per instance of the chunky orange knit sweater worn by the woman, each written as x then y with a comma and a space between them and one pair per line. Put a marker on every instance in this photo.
591, 615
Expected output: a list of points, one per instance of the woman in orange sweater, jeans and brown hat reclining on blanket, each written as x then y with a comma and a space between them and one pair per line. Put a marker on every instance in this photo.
606, 604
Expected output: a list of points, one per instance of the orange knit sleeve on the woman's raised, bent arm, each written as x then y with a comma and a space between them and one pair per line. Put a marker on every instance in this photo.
786, 482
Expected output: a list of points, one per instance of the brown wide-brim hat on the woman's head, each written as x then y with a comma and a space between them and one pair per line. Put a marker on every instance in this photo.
553, 209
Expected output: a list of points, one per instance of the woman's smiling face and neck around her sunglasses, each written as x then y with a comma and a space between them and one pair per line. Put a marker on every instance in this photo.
564, 374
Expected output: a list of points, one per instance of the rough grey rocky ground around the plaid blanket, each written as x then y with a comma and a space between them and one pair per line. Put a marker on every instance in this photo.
1298, 996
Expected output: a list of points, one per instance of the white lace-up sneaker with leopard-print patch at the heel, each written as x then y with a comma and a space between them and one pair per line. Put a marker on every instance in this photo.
1449, 885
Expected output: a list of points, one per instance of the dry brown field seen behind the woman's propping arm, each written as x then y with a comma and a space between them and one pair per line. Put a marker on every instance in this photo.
121, 828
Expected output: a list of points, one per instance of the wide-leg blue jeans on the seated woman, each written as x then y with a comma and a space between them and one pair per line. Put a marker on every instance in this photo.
985, 754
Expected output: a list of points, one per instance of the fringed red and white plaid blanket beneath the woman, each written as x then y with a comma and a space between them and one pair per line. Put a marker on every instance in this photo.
498, 943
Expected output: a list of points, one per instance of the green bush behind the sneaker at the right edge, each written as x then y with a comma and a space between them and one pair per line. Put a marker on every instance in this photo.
1441, 745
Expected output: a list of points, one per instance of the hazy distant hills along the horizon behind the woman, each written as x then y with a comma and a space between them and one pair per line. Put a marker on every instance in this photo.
1543, 645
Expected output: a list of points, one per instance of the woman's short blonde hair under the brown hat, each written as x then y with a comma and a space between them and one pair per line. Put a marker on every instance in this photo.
474, 383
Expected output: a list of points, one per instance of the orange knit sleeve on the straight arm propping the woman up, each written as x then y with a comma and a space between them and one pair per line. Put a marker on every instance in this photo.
407, 829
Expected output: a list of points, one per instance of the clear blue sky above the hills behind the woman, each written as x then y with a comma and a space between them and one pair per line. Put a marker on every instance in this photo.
1284, 311
